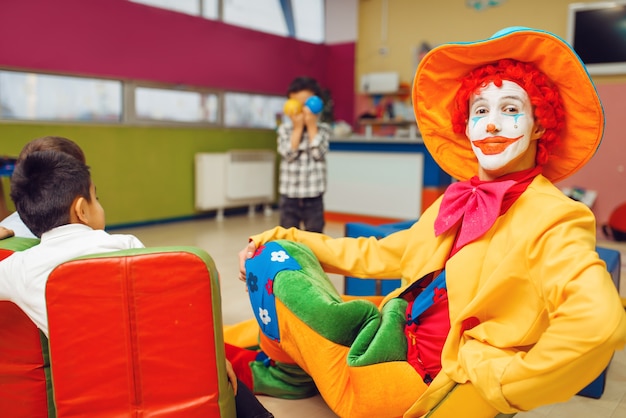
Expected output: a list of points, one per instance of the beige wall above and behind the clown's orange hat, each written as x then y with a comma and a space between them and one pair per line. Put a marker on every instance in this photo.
411, 22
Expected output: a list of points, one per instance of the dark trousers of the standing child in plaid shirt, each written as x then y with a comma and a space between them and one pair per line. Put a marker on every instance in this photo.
305, 213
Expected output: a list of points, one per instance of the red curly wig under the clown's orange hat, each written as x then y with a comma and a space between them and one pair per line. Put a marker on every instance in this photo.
544, 97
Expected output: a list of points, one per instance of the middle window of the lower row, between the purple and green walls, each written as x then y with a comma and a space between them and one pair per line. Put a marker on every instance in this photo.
176, 105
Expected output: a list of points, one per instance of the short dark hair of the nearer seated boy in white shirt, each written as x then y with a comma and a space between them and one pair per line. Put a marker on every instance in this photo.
43, 187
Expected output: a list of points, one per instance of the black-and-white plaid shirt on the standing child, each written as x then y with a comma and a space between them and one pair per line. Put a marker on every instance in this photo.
303, 171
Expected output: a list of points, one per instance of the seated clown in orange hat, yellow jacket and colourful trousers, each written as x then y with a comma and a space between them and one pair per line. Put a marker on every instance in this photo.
505, 296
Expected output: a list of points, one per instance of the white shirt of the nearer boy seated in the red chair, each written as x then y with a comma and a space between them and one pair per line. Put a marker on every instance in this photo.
23, 275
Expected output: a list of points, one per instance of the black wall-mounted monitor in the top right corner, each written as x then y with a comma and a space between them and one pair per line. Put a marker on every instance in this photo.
597, 31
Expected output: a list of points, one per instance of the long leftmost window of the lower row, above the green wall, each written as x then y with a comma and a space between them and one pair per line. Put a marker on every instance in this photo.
32, 96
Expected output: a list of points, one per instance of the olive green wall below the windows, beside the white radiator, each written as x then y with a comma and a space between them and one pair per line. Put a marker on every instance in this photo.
142, 174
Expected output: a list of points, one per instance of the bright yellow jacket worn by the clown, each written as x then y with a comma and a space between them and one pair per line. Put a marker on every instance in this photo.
549, 315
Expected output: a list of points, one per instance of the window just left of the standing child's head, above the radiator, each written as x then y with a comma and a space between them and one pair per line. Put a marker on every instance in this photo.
252, 111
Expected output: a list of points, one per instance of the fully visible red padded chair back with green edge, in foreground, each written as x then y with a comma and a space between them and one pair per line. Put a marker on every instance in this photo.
138, 333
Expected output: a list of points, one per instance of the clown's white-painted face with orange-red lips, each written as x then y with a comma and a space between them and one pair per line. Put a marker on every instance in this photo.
501, 128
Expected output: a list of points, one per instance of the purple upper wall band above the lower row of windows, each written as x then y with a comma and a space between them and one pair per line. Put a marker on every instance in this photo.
121, 39
